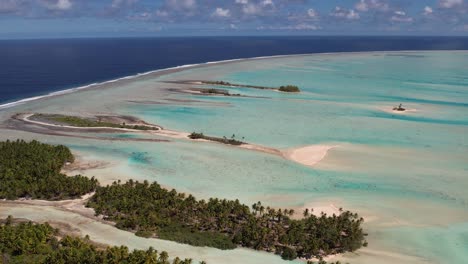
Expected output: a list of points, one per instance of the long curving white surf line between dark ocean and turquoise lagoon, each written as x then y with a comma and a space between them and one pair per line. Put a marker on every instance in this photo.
164, 71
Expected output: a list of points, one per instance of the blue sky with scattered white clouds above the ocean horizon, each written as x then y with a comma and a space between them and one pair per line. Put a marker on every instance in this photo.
126, 18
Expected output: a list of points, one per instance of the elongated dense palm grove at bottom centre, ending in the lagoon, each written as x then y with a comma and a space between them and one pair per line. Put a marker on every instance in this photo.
148, 208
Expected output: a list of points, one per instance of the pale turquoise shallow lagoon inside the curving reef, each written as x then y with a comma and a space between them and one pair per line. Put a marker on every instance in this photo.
406, 173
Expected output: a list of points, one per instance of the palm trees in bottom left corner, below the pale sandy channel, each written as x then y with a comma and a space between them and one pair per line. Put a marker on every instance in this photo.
40, 243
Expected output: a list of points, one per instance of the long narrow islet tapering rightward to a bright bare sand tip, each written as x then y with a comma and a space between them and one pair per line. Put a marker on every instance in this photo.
60, 124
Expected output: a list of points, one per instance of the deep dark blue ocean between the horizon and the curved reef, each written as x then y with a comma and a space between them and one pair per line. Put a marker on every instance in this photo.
36, 67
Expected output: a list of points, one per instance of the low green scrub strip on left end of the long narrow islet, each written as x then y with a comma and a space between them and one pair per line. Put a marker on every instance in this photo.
87, 122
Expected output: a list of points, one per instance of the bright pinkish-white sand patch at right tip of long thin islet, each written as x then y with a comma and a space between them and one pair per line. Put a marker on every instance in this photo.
308, 155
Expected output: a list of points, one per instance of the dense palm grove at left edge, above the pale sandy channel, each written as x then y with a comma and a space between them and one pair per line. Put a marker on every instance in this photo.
32, 170
